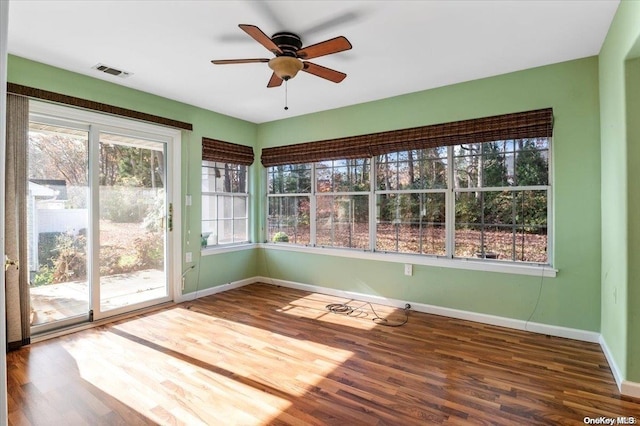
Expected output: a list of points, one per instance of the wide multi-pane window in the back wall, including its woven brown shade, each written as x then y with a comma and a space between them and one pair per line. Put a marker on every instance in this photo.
475, 189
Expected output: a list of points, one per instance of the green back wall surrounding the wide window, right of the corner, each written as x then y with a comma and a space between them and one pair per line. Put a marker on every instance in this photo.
572, 299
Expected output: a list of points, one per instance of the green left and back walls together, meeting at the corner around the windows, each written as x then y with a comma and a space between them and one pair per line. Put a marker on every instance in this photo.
572, 299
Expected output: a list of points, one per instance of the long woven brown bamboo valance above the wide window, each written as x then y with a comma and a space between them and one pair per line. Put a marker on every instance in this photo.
529, 124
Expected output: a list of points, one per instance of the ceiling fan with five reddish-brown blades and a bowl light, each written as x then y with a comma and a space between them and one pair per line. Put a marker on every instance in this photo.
290, 57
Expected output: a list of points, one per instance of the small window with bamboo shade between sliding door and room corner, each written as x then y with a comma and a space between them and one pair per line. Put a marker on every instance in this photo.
225, 195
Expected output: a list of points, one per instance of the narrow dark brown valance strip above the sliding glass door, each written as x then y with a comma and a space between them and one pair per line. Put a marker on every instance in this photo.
46, 95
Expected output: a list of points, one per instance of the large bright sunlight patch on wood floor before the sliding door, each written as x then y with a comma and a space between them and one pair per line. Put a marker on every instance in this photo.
199, 378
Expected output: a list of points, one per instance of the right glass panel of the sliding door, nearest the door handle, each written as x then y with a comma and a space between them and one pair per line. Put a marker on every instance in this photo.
132, 221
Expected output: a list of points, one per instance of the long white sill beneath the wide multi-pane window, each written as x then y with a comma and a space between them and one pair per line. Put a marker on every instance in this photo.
414, 259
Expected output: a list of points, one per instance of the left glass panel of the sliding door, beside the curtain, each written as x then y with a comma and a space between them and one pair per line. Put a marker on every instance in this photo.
58, 222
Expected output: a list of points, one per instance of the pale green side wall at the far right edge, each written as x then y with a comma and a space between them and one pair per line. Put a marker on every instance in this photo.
620, 186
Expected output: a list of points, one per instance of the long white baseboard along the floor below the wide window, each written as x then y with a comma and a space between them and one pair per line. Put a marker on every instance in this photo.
552, 330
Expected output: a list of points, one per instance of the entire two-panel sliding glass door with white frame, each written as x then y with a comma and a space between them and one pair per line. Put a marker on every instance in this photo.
100, 216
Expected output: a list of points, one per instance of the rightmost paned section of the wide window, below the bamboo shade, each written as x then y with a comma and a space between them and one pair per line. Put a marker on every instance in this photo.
501, 199
